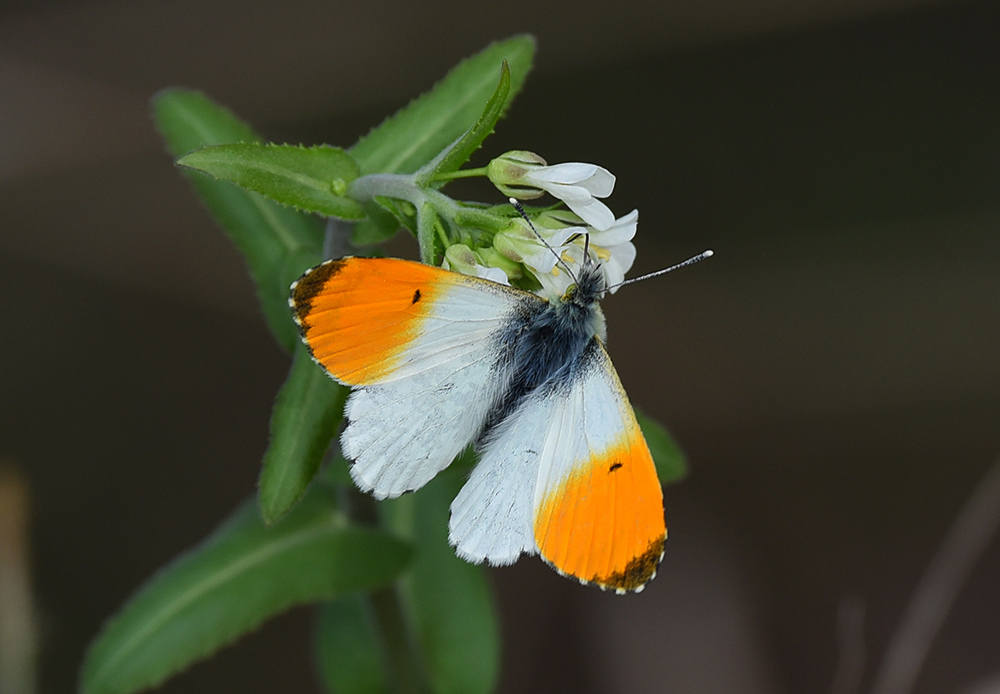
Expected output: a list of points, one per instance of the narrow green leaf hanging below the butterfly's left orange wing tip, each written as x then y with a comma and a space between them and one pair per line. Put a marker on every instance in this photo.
306, 414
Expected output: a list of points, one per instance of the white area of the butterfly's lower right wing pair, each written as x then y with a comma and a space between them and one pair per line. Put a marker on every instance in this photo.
554, 431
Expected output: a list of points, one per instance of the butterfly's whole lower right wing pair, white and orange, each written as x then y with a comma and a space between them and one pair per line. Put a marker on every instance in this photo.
568, 474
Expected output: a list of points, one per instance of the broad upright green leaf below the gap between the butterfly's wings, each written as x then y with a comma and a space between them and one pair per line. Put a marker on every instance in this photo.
449, 600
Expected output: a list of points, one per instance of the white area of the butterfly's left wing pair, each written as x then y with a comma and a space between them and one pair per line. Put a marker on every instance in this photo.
410, 425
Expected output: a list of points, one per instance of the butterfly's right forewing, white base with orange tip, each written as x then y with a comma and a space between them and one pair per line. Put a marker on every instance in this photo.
598, 506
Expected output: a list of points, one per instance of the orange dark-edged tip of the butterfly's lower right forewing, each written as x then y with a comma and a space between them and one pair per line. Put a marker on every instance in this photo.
604, 524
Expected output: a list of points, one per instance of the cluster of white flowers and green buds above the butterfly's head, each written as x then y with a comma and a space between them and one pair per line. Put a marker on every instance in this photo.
534, 250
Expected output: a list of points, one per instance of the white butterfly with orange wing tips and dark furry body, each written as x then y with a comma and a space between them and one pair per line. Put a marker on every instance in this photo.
438, 360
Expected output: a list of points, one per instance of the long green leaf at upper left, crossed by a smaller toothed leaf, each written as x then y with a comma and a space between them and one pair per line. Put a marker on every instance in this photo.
278, 243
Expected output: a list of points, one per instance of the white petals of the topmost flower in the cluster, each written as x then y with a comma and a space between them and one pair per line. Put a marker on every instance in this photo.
578, 185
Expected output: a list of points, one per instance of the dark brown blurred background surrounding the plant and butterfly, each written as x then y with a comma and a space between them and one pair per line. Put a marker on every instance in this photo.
832, 373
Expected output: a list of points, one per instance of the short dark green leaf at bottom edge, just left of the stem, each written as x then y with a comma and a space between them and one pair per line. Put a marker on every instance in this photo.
348, 648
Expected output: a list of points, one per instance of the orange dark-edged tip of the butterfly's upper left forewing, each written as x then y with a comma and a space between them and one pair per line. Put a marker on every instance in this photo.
358, 315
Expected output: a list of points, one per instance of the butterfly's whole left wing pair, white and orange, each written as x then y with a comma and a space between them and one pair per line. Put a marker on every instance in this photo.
422, 348
